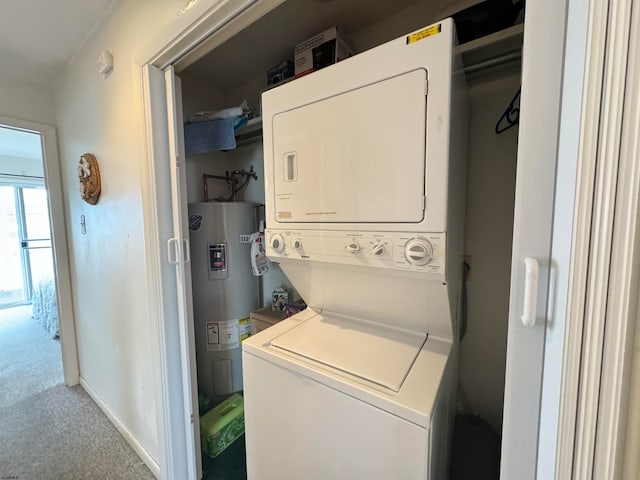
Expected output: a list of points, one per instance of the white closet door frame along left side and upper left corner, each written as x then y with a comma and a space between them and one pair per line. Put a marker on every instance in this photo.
176, 455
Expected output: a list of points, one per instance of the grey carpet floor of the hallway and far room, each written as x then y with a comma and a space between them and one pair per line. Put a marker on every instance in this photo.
48, 430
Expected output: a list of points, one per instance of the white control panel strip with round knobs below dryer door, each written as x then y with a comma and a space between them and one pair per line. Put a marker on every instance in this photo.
397, 250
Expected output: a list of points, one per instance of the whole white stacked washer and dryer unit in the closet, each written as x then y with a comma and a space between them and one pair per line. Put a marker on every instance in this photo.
364, 183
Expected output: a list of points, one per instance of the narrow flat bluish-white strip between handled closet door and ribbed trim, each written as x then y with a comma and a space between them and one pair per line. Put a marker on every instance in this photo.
563, 229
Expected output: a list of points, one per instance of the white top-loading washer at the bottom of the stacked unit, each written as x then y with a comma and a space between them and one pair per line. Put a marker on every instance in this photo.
344, 398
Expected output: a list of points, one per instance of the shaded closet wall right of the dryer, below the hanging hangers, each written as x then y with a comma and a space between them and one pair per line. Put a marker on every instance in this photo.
491, 173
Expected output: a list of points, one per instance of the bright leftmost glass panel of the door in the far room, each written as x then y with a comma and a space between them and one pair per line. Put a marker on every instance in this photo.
11, 274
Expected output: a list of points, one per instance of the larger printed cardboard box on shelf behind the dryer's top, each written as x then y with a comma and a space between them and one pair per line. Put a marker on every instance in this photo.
320, 51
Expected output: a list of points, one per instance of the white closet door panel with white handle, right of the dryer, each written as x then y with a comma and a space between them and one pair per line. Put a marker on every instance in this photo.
542, 64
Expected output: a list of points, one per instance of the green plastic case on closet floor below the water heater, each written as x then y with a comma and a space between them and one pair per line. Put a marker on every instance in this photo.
222, 425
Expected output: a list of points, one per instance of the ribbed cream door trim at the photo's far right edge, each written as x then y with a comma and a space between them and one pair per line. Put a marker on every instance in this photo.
600, 385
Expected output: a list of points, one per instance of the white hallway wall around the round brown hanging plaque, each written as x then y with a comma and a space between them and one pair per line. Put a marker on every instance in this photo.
116, 337
